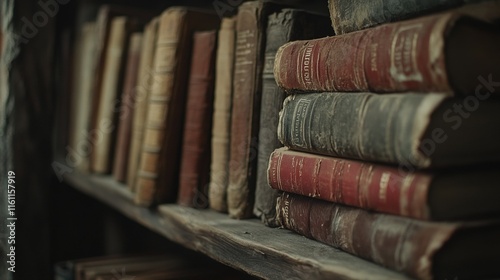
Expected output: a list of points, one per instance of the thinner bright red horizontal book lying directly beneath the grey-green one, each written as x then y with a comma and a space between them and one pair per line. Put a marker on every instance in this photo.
444, 195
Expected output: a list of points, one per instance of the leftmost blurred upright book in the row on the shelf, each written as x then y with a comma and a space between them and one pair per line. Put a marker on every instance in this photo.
81, 105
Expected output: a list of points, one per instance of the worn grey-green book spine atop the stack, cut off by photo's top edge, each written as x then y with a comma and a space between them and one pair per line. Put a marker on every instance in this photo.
350, 16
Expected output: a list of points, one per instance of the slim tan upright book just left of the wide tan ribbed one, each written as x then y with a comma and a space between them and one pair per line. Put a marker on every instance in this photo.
141, 95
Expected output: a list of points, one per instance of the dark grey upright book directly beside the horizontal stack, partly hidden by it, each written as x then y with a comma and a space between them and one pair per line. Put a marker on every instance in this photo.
282, 27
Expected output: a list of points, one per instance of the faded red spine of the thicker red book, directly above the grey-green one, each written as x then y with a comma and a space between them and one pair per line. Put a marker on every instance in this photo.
396, 57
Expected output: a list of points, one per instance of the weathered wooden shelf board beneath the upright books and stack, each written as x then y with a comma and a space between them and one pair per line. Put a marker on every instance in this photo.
268, 253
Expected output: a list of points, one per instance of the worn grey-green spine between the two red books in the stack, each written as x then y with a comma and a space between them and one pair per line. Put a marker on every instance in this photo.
365, 126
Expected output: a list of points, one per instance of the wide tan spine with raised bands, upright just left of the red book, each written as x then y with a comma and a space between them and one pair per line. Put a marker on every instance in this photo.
165, 63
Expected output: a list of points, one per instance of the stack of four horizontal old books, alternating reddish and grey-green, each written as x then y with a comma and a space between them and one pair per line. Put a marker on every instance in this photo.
391, 139
